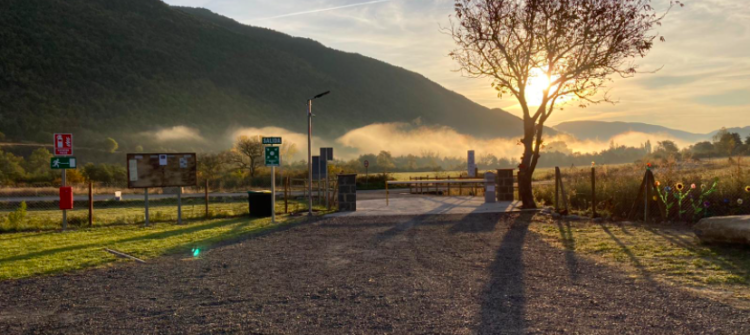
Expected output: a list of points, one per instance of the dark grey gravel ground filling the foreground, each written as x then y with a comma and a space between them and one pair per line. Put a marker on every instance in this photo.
482, 273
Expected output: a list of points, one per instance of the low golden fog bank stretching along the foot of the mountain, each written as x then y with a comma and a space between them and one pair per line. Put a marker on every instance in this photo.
399, 139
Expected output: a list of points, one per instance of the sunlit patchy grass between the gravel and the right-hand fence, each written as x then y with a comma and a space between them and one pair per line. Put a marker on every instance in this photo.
672, 255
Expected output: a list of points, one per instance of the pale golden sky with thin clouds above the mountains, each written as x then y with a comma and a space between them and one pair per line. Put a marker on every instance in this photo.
703, 83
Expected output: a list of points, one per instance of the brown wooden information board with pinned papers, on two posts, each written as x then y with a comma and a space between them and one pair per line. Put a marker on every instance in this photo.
161, 170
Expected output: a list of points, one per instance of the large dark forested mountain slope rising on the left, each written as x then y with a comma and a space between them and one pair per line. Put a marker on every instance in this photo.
119, 68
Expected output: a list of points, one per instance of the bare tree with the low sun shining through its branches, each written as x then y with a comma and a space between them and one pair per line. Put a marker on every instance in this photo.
574, 47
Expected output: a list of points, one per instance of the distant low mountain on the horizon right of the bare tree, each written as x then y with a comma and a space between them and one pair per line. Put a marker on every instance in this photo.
601, 130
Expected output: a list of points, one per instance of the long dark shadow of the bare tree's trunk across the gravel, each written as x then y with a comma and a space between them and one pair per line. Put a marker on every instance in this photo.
503, 298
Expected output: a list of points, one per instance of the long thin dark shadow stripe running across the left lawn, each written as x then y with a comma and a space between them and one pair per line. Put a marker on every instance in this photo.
160, 235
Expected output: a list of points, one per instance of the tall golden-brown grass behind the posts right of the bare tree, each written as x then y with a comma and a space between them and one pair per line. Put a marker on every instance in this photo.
617, 189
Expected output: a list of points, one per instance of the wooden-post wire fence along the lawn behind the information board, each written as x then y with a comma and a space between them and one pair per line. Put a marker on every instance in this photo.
37, 208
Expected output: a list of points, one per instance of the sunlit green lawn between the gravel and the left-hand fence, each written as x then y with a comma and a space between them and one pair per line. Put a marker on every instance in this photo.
40, 253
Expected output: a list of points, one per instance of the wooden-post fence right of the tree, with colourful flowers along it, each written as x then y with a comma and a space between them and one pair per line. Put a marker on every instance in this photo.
671, 194
